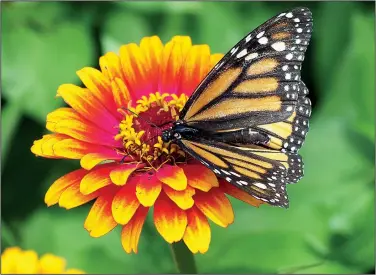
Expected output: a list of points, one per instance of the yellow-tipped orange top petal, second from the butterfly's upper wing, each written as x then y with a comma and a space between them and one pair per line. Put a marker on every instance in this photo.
196, 67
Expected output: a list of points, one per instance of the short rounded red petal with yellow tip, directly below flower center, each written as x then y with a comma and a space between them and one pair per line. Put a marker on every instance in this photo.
148, 189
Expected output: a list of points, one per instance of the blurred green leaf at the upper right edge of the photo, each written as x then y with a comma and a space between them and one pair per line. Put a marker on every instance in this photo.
351, 93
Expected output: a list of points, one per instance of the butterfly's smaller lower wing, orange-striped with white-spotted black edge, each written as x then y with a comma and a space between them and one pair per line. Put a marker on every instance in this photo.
262, 173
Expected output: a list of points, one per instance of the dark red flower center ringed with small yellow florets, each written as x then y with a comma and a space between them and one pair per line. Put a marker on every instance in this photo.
142, 127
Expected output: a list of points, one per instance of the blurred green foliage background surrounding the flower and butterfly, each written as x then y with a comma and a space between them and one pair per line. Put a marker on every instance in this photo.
329, 227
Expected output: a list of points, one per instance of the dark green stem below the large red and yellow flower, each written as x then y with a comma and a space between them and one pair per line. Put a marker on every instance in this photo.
183, 258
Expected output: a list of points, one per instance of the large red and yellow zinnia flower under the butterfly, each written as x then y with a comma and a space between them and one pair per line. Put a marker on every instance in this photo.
113, 126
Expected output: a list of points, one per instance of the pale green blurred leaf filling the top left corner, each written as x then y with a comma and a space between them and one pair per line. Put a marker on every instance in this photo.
40, 52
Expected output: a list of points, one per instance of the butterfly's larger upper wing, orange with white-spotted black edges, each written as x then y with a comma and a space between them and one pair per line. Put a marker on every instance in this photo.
253, 83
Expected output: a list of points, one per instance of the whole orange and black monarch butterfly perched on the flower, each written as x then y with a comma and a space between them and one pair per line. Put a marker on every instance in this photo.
249, 117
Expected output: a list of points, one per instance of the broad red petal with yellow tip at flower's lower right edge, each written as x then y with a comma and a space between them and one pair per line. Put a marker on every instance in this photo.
216, 206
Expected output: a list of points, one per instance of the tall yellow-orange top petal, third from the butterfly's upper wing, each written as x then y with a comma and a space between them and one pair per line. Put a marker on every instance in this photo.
173, 57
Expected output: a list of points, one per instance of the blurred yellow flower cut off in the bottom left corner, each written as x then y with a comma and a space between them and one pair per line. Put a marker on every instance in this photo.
17, 261
